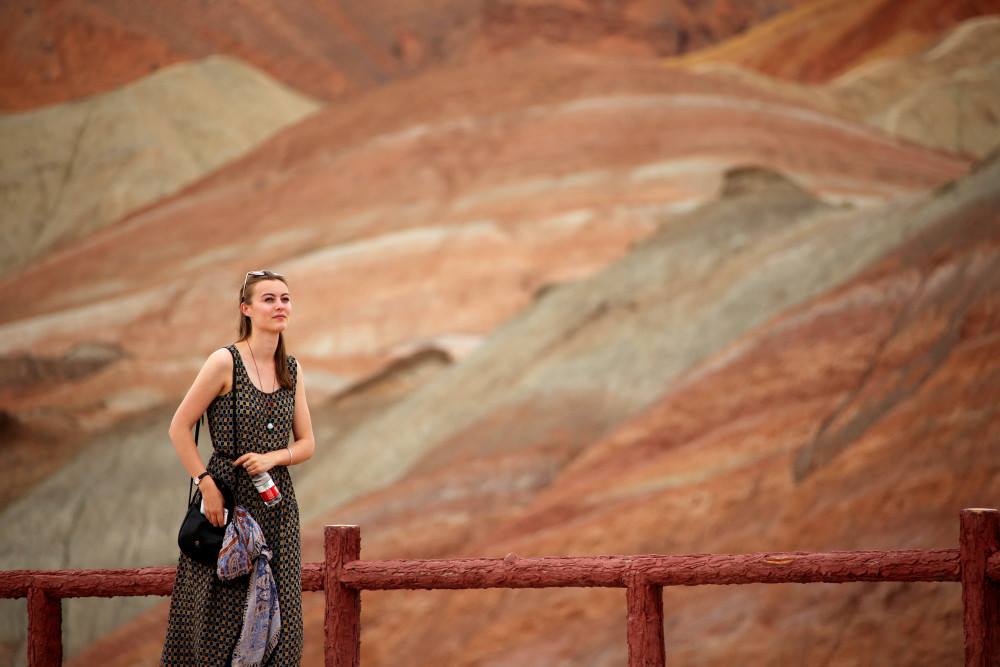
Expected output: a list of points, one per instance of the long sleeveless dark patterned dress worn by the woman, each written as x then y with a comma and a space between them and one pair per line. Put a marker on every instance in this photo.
206, 613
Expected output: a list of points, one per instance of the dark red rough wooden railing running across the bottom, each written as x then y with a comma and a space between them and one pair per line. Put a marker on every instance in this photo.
976, 564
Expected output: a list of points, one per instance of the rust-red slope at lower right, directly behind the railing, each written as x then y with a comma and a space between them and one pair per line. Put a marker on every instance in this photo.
864, 418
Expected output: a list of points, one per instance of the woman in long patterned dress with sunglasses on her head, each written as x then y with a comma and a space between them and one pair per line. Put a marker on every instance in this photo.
206, 613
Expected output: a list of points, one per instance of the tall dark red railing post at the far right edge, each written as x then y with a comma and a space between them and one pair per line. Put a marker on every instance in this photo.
979, 539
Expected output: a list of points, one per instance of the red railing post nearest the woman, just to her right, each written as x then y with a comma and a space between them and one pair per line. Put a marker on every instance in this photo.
342, 631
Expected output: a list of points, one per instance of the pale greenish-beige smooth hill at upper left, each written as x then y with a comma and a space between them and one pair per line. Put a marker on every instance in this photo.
70, 170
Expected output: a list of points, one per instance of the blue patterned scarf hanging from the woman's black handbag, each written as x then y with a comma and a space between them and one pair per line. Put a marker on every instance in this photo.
243, 550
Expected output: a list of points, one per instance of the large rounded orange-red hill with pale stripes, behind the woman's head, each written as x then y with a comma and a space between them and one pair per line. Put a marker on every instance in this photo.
418, 179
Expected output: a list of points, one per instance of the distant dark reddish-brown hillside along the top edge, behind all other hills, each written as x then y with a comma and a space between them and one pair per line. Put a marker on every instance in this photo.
56, 51
